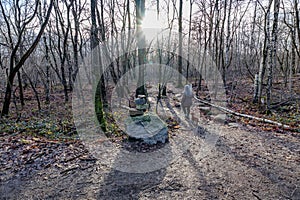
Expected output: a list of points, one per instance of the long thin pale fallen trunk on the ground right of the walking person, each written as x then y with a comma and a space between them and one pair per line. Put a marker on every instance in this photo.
226, 110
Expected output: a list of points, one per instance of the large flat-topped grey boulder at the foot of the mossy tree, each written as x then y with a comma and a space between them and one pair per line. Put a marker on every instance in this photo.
149, 128
